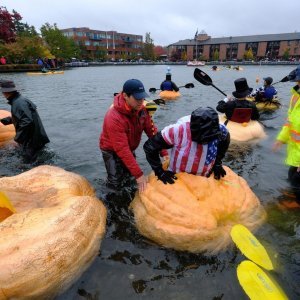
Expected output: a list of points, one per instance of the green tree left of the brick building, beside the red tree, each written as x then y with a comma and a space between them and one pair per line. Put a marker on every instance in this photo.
60, 46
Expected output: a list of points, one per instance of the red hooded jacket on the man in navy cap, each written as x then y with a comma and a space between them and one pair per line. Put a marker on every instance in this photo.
122, 132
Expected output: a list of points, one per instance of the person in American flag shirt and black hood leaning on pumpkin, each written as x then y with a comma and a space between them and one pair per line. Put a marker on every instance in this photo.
198, 144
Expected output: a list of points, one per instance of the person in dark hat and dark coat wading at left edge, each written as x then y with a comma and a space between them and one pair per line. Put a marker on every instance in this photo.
30, 132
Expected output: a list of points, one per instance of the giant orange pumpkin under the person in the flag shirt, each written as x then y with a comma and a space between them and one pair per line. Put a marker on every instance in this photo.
196, 213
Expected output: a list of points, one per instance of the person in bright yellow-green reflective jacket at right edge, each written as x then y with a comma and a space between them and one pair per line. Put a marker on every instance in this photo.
290, 135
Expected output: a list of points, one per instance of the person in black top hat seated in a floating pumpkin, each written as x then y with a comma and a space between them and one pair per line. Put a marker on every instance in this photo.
228, 106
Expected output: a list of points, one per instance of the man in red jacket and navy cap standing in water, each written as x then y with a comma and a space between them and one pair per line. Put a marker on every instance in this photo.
122, 130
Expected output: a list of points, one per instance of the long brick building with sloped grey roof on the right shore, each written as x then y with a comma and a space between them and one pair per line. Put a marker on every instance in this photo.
271, 46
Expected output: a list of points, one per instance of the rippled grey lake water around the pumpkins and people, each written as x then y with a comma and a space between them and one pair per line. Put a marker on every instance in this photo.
72, 107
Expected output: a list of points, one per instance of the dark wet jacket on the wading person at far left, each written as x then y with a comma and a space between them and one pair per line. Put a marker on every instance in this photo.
30, 131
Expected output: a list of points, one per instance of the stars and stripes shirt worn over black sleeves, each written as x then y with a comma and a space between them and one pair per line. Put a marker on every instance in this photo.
186, 155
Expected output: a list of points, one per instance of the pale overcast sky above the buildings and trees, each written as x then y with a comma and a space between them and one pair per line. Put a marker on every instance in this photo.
167, 21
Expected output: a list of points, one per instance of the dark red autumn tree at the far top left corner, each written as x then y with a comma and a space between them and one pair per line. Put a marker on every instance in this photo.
8, 25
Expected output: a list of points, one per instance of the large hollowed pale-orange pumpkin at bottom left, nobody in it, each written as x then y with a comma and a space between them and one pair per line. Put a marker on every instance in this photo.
53, 237
